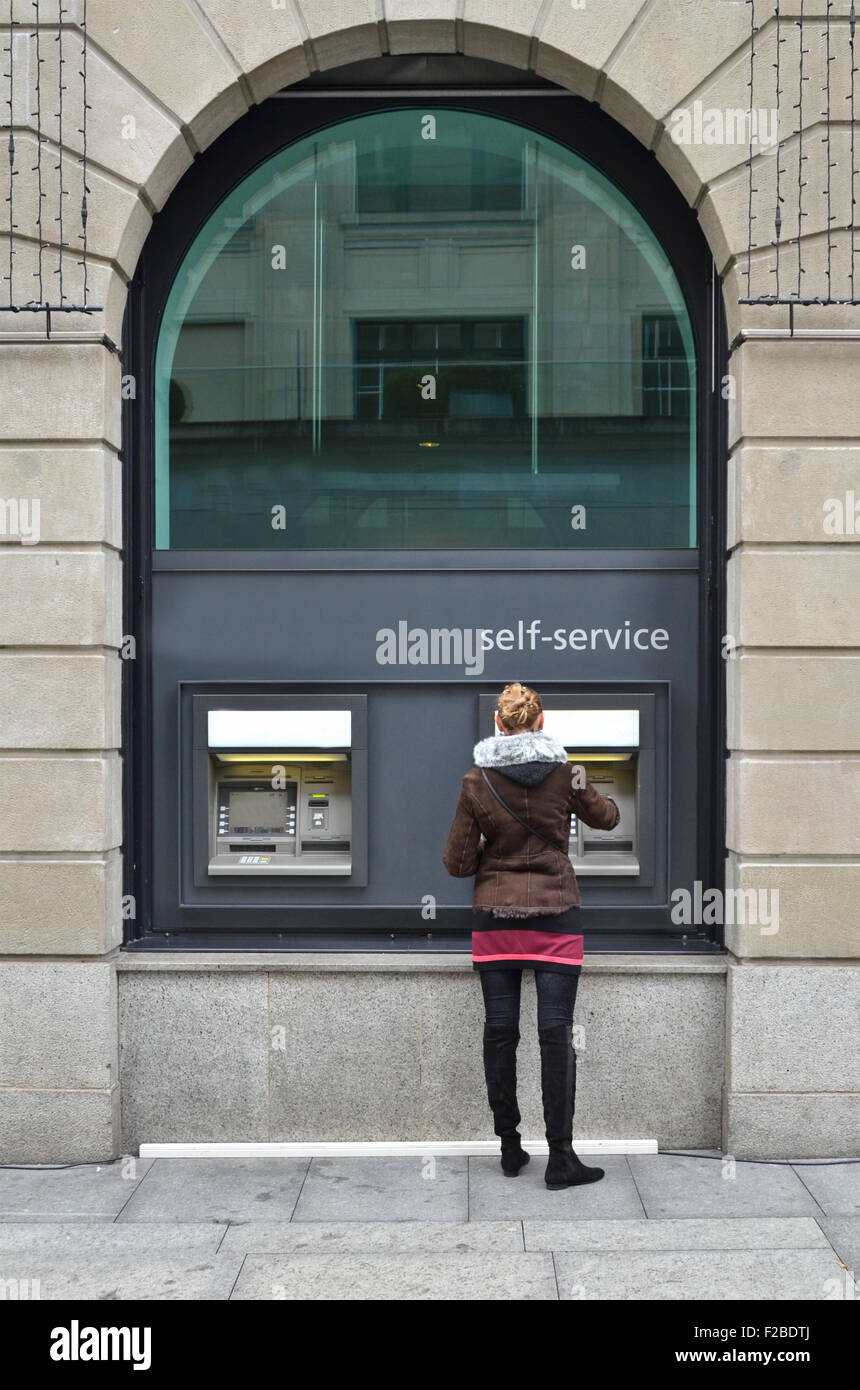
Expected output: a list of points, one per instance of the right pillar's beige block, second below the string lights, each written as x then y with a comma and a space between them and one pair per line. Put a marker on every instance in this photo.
790, 494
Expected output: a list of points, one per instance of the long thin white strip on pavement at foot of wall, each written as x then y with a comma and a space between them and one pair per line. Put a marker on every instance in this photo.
387, 1149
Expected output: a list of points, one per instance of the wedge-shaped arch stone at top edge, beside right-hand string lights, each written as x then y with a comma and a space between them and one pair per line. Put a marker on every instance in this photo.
641, 85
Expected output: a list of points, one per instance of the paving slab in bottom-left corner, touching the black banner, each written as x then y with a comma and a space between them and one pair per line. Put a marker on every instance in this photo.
123, 1277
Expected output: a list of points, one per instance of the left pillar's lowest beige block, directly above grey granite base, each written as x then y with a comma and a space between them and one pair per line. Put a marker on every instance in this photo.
62, 907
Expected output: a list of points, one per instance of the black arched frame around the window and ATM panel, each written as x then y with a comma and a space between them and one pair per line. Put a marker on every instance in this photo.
594, 136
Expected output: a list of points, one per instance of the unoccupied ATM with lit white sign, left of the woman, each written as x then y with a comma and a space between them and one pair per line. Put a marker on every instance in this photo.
280, 792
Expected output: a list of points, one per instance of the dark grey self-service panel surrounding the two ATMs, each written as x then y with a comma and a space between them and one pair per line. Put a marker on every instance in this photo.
317, 633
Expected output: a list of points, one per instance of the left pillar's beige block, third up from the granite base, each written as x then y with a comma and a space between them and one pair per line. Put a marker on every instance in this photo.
53, 701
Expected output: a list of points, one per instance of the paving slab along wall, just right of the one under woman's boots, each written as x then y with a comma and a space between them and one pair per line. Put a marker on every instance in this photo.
698, 1188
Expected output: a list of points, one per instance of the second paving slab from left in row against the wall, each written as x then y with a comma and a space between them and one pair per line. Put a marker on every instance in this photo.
217, 1191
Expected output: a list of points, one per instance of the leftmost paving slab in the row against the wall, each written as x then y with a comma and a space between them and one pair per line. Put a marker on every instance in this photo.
70, 1195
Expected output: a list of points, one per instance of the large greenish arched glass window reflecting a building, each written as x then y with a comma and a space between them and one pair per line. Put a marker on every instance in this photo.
422, 330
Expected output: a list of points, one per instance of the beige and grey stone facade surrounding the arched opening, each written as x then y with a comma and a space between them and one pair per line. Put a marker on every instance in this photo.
176, 77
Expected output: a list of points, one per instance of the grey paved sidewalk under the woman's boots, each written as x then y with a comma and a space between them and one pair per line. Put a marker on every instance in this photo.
656, 1227
